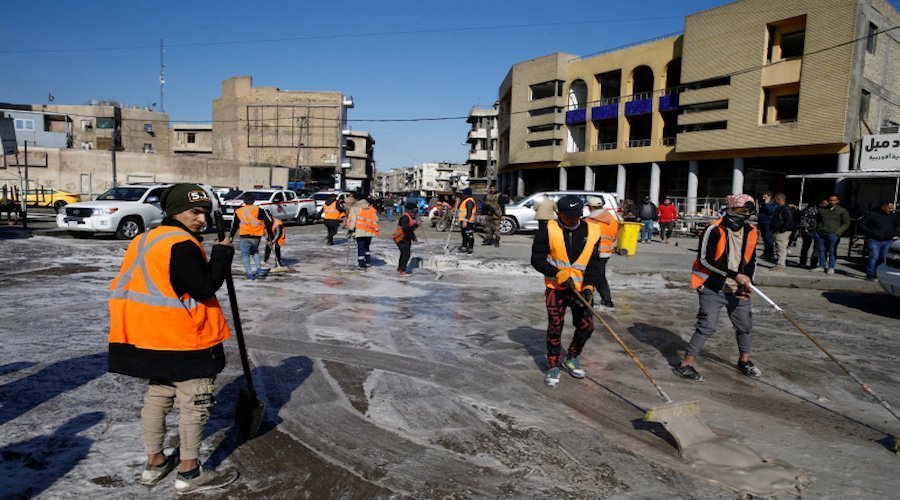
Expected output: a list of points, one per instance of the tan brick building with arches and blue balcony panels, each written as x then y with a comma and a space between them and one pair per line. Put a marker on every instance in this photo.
751, 92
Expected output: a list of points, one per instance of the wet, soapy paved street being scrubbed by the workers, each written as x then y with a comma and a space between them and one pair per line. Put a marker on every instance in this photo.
377, 386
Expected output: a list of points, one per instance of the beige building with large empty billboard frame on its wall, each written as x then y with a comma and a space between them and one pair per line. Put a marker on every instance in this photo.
297, 129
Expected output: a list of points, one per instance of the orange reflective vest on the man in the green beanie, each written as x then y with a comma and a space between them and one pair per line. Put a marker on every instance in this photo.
143, 308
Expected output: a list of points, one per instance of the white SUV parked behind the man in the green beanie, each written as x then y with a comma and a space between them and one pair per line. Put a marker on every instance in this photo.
126, 211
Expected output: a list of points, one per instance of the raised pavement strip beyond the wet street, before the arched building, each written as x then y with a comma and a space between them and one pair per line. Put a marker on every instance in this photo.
672, 262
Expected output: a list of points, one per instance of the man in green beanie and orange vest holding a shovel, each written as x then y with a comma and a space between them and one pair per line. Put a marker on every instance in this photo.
166, 326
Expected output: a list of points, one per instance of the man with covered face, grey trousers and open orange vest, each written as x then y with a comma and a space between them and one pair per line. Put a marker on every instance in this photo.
722, 275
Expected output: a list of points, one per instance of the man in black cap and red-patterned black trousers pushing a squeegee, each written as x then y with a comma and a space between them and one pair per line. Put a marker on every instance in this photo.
565, 252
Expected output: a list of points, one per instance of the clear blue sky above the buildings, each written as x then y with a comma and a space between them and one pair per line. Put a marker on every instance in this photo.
441, 72
